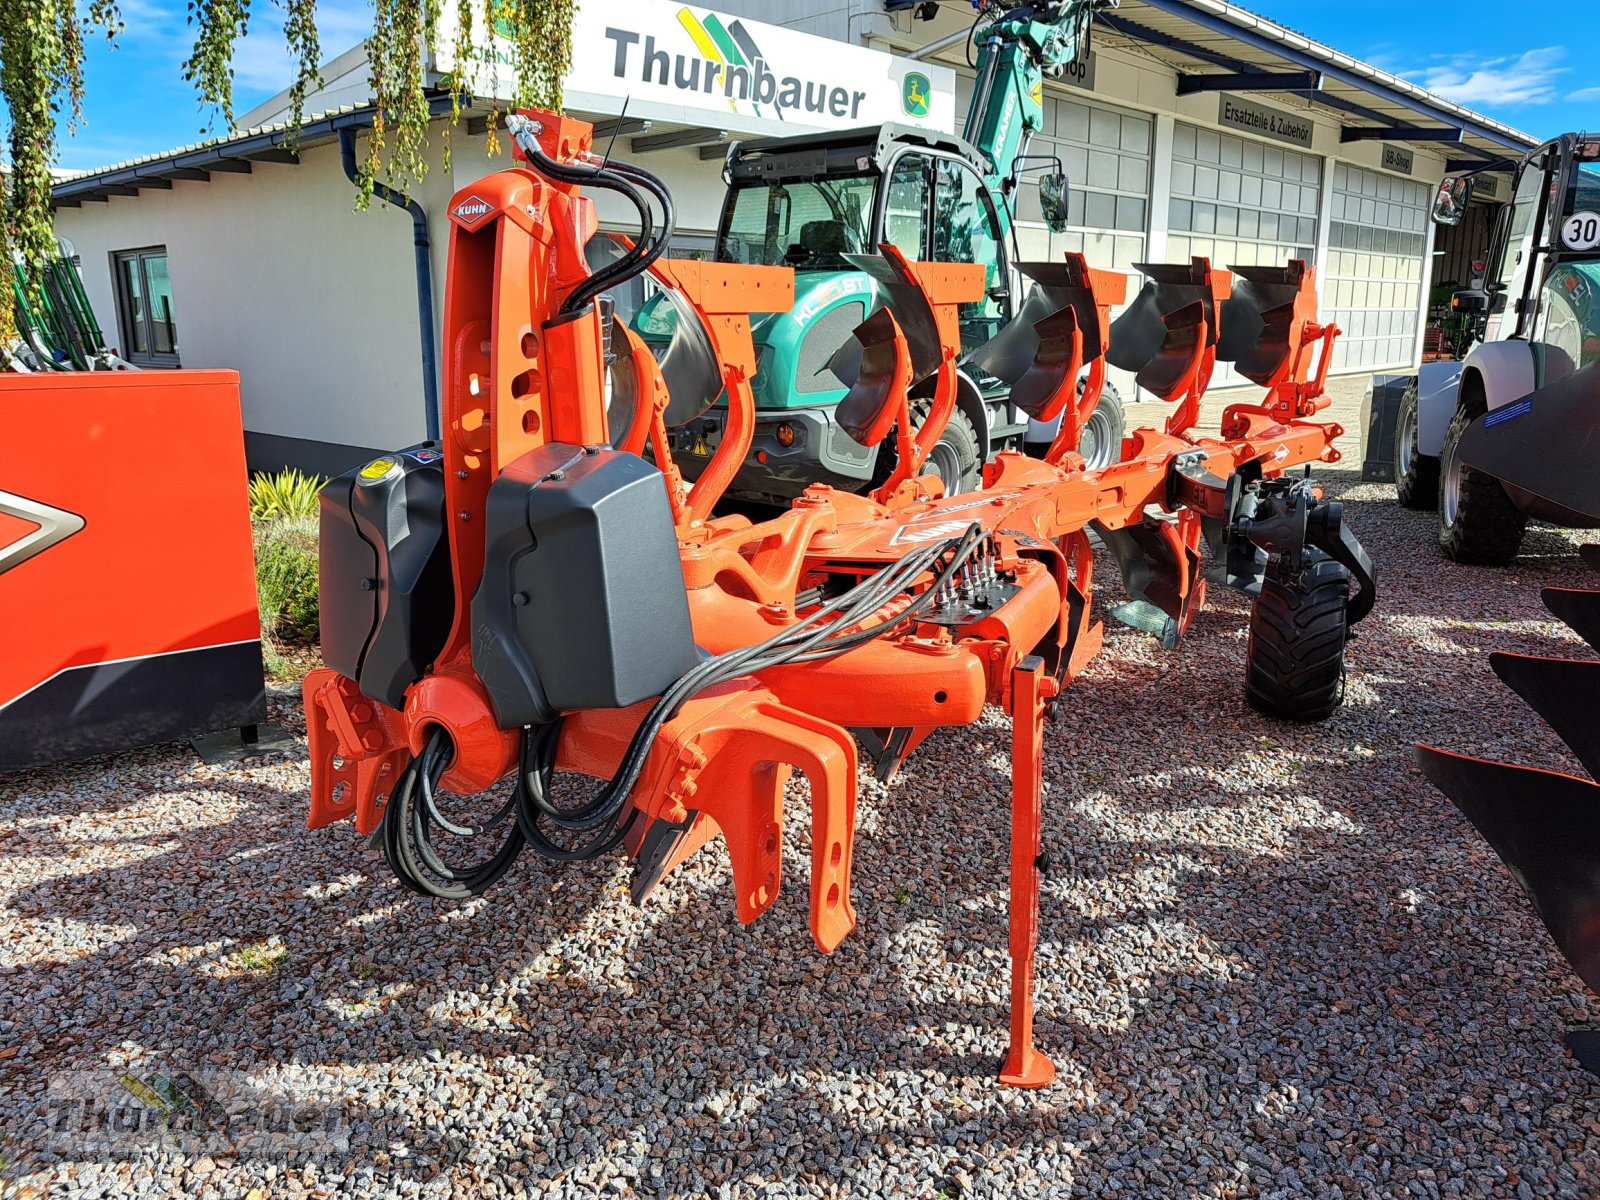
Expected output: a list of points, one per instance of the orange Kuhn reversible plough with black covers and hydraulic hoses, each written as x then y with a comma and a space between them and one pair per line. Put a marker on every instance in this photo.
535, 596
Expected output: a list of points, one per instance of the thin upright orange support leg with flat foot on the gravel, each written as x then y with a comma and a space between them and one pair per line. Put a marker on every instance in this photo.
1031, 689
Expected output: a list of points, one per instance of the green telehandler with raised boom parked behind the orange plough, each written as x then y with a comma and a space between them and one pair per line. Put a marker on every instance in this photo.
812, 201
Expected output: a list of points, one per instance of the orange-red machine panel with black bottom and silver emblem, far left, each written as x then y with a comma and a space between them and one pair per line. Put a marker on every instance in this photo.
127, 575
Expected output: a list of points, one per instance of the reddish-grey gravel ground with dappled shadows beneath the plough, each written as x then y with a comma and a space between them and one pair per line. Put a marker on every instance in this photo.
1274, 962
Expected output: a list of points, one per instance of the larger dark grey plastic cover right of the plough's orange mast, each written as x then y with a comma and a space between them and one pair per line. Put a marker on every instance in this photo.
583, 602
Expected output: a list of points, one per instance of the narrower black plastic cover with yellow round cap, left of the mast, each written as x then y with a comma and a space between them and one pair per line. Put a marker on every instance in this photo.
385, 572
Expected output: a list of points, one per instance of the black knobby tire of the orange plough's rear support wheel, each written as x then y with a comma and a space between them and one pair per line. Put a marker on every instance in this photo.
1298, 631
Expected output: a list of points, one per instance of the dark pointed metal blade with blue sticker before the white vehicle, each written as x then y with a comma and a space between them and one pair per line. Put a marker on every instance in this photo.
1545, 449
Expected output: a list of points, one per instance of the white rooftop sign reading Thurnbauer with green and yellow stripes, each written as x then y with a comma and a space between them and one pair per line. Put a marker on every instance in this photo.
695, 66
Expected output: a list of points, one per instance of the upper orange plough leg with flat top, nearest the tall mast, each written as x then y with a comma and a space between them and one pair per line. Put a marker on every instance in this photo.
724, 295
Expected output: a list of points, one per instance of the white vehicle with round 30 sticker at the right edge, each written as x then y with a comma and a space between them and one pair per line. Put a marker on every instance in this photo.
1542, 342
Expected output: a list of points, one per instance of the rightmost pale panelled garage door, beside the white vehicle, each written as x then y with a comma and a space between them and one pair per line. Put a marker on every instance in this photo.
1377, 249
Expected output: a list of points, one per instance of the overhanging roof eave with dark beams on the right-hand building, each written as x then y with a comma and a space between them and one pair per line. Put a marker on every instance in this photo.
1210, 44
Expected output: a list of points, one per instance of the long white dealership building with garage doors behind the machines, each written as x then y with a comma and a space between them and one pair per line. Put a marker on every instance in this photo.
1193, 129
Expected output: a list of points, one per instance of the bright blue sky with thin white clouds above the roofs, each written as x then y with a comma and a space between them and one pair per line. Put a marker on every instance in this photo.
1518, 63
